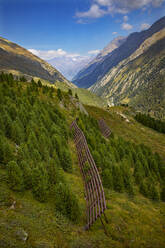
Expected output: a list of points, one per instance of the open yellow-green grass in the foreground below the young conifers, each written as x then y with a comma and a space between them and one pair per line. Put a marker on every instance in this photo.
134, 223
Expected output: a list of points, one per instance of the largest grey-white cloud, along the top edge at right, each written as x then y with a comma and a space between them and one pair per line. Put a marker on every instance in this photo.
100, 8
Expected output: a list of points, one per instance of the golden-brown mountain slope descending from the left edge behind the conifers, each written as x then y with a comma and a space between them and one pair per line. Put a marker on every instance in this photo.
16, 59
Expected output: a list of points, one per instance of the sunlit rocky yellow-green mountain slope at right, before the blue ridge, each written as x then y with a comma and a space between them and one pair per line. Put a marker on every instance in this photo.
139, 79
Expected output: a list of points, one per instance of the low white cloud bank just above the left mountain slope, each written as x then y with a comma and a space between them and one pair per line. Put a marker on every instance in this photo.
50, 54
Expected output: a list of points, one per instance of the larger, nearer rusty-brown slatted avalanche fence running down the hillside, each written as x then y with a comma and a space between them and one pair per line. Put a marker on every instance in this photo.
95, 198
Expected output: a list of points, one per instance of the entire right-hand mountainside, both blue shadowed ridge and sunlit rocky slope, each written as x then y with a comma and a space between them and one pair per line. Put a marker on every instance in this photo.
132, 73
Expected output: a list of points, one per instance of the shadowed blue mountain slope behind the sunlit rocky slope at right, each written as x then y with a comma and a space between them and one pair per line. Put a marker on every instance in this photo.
91, 75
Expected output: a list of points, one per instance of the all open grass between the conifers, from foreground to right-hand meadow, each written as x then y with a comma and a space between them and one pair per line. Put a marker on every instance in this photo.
135, 223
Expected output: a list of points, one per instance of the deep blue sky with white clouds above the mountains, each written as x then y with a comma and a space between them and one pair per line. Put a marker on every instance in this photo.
74, 28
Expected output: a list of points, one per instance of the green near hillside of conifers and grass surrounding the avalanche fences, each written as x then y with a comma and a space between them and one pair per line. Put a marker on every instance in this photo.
40, 175
